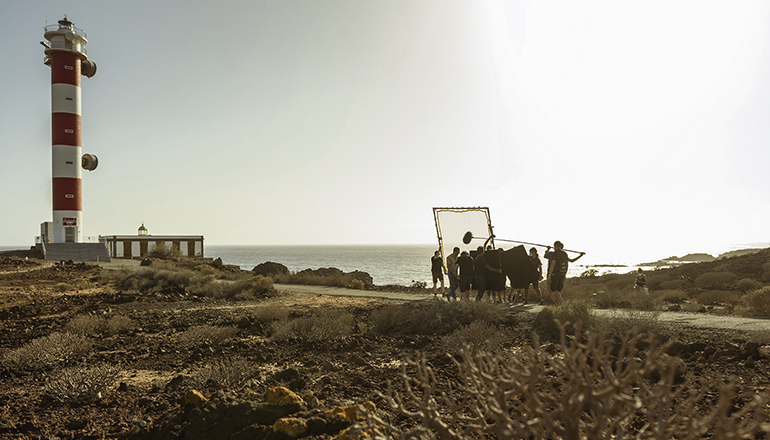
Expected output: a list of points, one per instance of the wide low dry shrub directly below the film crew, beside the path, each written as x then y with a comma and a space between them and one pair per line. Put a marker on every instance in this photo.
434, 318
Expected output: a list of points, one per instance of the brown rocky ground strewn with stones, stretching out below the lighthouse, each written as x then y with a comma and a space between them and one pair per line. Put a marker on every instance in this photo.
155, 382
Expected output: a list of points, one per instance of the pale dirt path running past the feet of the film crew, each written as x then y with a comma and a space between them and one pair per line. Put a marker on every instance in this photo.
698, 320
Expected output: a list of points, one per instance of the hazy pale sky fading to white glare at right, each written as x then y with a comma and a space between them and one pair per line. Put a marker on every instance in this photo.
615, 127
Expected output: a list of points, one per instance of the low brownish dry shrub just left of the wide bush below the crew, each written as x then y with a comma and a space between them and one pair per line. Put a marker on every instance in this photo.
325, 325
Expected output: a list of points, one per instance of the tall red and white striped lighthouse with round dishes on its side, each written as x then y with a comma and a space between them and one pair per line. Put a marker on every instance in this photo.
68, 60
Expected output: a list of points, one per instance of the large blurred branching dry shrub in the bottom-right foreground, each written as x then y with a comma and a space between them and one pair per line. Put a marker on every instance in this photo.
580, 389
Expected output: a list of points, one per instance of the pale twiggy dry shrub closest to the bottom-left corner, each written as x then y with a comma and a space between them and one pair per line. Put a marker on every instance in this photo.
80, 385
